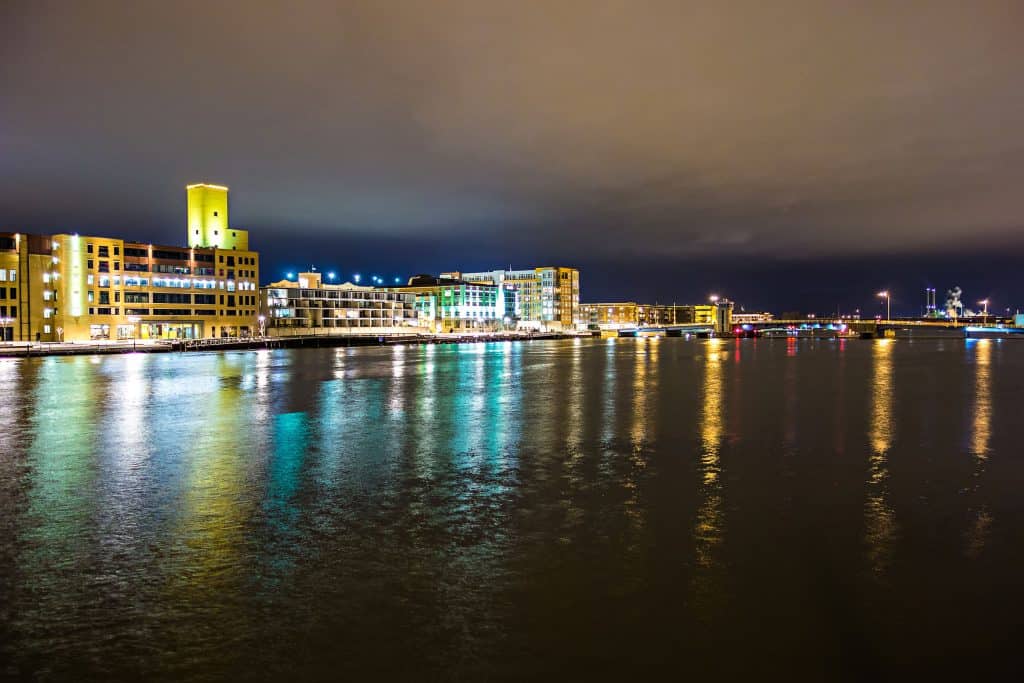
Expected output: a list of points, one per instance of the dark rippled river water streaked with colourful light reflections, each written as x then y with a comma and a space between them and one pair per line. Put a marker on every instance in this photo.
582, 509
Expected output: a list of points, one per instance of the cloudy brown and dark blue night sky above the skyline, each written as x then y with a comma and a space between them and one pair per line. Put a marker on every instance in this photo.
788, 155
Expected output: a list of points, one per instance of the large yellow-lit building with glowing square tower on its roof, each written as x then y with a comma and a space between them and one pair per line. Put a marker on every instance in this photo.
69, 287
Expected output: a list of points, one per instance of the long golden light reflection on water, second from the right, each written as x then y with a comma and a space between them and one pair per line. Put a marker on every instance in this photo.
881, 524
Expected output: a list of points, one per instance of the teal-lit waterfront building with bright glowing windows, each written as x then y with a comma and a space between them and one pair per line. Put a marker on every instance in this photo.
449, 305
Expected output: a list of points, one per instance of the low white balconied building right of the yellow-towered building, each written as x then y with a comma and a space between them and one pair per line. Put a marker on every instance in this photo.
308, 307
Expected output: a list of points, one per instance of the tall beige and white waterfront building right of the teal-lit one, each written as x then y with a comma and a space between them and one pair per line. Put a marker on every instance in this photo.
548, 296
